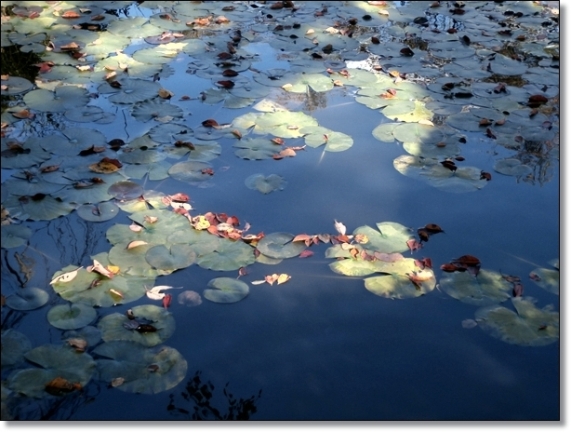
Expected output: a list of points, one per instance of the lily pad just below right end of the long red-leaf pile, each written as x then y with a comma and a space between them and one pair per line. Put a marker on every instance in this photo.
227, 255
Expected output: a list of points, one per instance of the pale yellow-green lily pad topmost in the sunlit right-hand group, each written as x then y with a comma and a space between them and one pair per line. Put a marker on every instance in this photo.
389, 237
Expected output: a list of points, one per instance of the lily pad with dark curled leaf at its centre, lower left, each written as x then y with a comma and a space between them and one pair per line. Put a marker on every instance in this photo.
118, 327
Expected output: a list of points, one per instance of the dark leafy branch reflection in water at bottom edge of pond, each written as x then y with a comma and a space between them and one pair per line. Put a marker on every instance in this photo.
201, 394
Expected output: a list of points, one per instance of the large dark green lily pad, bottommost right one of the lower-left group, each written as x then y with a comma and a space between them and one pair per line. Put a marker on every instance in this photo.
141, 370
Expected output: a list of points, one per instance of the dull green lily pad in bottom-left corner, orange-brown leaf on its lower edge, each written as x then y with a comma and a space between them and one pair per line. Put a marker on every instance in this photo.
55, 362
